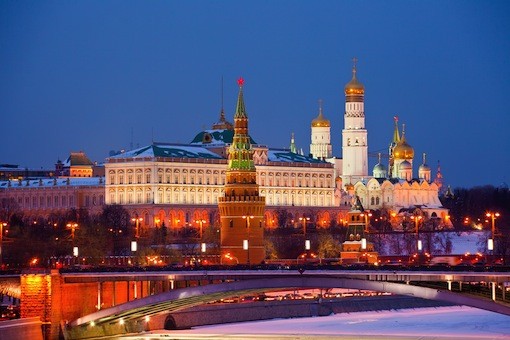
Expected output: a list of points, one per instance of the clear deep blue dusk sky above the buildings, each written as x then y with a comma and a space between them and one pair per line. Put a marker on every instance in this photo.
83, 75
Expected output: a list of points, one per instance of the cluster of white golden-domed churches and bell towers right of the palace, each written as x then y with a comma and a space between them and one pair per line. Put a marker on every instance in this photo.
393, 188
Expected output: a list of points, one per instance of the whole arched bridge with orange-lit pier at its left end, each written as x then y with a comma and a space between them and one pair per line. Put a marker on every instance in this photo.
102, 304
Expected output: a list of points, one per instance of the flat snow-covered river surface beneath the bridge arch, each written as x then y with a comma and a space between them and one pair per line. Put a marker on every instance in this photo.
425, 323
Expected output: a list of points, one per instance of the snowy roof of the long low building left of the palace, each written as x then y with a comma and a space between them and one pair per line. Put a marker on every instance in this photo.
52, 182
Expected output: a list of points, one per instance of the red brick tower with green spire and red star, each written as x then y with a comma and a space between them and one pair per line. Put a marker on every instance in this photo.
242, 208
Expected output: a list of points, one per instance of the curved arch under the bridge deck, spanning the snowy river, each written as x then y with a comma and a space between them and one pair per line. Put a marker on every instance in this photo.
179, 299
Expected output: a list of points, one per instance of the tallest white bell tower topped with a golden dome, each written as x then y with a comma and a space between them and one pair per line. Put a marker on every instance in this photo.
354, 134
